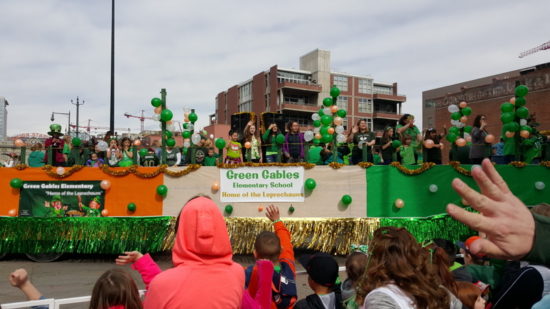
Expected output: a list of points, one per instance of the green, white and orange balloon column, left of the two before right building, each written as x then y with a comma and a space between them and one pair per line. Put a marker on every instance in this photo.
459, 118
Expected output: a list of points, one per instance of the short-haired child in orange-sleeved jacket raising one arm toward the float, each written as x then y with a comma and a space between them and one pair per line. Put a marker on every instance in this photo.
277, 248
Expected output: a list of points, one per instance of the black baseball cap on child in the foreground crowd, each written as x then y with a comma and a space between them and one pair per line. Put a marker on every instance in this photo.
321, 268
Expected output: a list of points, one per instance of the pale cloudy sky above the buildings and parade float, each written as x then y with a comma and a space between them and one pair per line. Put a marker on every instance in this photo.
52, 51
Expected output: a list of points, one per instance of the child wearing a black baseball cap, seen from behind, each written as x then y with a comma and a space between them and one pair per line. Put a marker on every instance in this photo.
322, 270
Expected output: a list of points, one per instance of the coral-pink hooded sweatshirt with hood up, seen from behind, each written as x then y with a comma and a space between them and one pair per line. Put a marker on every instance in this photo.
204, 274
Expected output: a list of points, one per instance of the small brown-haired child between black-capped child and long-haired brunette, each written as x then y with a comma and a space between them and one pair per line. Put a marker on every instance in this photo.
356, 263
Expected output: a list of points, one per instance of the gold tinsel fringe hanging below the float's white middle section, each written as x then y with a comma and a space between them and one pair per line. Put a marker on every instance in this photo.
333, 235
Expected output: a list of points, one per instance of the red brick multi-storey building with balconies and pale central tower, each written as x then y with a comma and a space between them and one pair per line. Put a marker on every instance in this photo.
299, 93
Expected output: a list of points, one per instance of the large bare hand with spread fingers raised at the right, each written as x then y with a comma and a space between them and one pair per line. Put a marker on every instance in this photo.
508, 224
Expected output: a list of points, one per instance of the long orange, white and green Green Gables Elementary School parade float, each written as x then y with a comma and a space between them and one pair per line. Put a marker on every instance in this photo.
54, 210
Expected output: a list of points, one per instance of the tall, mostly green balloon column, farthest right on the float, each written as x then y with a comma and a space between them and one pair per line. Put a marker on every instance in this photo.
514, 116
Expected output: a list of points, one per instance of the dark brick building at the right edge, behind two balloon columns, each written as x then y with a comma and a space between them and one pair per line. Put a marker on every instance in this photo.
485, 95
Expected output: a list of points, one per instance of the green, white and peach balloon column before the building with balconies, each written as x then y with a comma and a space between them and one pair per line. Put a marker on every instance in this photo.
328, 121
